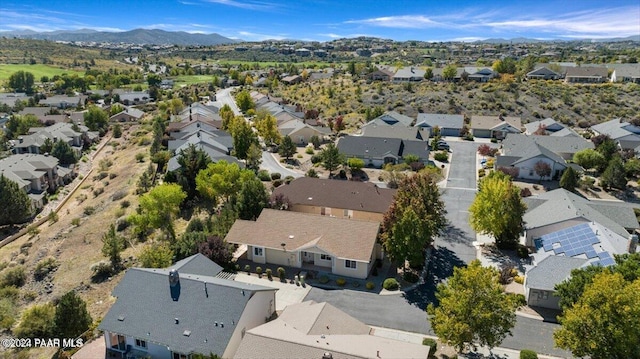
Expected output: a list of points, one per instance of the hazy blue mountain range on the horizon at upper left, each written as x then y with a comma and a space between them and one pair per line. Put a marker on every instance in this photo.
137, 36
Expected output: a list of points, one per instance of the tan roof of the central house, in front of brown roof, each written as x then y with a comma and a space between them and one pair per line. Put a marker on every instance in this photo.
342, 238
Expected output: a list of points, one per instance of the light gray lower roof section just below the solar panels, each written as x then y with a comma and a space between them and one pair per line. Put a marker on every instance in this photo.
551, 271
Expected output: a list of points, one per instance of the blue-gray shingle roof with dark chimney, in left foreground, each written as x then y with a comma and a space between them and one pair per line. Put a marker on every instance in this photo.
145, 309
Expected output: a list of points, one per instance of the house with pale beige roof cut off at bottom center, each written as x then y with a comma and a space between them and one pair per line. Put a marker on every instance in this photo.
320, 330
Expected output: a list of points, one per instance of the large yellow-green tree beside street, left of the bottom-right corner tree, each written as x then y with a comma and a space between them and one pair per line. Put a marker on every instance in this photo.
473, 308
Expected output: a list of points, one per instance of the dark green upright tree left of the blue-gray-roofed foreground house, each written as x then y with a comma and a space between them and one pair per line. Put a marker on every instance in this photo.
71, 318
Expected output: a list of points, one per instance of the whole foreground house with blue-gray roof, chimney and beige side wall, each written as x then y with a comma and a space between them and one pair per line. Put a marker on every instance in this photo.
182, 310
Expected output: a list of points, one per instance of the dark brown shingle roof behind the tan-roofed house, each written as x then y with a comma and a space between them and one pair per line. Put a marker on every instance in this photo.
360, 196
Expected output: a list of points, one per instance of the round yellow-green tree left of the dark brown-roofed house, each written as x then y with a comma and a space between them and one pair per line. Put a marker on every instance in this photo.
222, 180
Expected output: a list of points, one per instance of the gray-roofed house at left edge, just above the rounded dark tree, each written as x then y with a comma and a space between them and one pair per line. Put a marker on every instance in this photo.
35, 174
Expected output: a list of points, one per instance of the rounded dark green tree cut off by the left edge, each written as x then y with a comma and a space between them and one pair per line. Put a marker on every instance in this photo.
16, 205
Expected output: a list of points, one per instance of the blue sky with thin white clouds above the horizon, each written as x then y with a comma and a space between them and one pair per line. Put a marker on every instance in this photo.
324, 20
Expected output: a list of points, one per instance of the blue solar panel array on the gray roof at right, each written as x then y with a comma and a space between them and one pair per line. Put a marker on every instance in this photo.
572, 241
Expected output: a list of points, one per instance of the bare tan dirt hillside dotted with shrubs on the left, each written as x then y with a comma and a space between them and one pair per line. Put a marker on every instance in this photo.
76, 248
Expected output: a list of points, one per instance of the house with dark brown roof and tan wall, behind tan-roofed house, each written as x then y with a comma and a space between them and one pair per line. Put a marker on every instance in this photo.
342, 199
